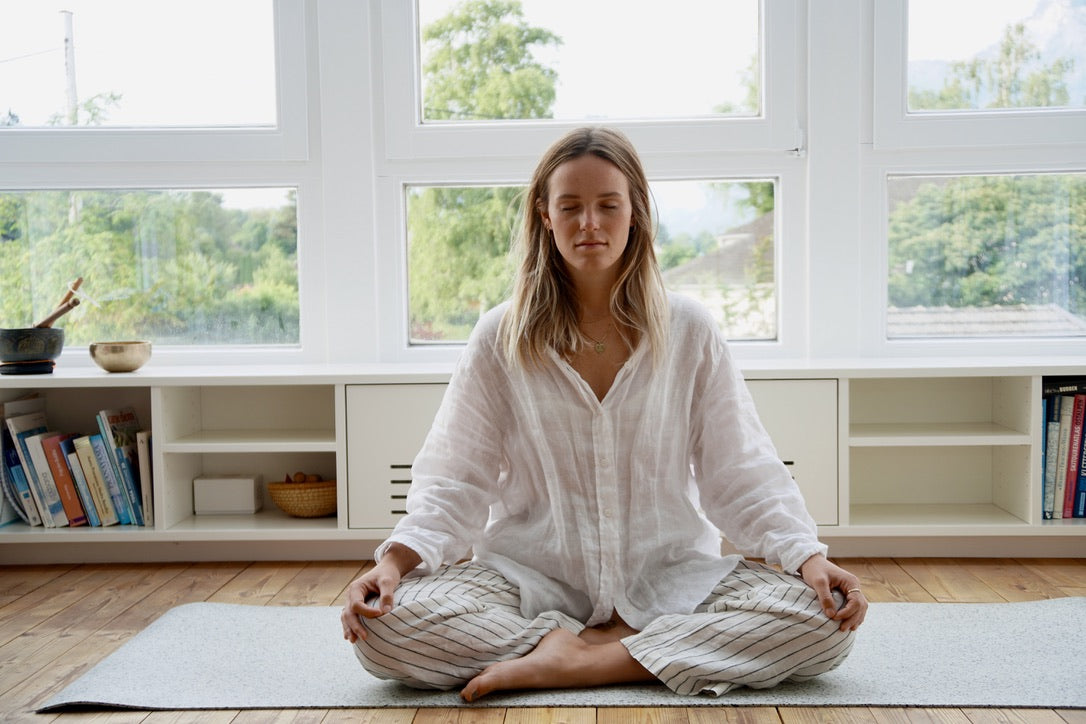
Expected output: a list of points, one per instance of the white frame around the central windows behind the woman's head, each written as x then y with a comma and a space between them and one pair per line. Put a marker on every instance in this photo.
412, 154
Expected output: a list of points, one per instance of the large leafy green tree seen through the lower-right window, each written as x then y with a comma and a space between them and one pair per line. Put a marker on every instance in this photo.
991, 240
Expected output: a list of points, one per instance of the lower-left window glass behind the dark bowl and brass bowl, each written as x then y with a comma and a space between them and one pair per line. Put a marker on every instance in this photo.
178, 268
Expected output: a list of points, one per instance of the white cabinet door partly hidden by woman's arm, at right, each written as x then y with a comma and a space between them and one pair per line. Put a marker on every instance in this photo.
801, 416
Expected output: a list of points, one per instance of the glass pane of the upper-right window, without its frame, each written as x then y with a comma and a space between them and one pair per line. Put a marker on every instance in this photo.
975, 55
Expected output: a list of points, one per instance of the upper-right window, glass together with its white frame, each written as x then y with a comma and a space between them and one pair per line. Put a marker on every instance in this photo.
974, 73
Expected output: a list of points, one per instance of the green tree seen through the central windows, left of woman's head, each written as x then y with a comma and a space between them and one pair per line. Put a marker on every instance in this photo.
479, 67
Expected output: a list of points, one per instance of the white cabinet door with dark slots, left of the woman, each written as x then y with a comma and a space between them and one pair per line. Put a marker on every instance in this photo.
386, 427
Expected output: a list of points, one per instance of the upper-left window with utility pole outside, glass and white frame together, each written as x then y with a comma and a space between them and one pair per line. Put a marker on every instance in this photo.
108, 81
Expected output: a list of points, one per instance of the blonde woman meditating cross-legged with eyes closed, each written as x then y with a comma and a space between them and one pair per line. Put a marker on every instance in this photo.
593, 444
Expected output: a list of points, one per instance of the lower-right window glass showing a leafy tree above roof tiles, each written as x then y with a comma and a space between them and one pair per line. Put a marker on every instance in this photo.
988, 257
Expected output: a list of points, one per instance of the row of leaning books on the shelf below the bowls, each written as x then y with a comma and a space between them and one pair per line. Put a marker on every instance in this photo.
58, 479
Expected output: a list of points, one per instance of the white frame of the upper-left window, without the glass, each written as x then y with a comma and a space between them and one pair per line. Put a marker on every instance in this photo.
285, 142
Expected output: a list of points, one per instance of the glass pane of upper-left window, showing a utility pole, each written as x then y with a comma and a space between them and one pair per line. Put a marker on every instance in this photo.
137, 63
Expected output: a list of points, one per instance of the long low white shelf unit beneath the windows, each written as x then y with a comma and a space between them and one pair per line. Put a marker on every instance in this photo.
895, 460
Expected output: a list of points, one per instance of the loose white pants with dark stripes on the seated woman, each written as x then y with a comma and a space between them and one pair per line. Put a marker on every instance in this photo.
759, 628
